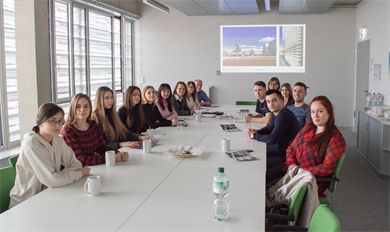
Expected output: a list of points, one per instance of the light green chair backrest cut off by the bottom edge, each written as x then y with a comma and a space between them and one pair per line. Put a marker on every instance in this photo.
324, 220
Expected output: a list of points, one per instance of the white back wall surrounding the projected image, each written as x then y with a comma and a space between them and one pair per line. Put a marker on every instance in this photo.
173, 47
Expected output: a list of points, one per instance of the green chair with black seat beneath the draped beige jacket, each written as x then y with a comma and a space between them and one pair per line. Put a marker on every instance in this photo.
293, 210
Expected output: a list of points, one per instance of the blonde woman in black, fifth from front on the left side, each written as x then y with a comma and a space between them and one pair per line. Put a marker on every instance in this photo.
152, 116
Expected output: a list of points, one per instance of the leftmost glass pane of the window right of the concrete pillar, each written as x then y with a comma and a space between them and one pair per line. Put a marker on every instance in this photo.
62, 50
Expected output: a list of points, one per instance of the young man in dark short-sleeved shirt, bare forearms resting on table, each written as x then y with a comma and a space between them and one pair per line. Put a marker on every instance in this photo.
263, 115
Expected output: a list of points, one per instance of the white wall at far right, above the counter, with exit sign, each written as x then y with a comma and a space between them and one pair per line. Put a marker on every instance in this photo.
374, 16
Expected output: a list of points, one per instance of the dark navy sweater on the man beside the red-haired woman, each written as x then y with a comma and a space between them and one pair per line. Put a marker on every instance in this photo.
282, 130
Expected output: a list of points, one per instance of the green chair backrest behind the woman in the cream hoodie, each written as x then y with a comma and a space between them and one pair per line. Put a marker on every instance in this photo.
7, 181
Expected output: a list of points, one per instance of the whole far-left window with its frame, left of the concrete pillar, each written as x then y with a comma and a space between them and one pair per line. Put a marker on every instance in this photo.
9, 117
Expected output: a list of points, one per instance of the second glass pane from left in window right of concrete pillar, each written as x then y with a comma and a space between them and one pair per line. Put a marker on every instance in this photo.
79, 50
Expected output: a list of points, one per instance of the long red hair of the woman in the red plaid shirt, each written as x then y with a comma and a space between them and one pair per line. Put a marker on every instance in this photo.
319, 143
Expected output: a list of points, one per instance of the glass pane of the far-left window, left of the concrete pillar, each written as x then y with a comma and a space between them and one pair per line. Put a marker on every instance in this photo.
10, 70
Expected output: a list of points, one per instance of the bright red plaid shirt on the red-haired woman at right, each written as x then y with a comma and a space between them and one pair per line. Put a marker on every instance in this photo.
304, 158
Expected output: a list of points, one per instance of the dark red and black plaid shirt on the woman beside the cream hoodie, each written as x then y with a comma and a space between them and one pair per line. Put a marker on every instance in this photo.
88, 146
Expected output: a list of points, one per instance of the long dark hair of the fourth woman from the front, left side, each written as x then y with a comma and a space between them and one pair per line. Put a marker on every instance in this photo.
133, 111
